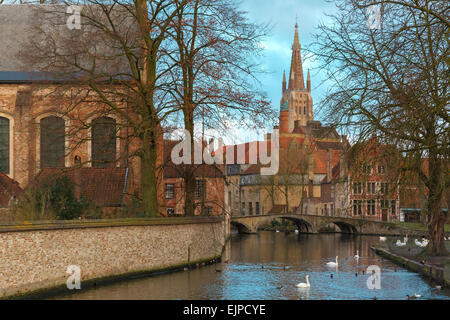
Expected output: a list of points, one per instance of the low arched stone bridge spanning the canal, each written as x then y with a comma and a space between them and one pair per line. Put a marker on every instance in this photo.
312, 223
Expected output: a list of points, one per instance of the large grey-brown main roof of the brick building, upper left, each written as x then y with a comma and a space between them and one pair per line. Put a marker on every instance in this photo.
35, 28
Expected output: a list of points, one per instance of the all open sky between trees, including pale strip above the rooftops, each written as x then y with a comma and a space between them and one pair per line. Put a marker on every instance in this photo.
282, 16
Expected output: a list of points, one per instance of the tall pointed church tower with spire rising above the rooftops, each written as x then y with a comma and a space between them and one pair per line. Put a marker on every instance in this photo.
296, 103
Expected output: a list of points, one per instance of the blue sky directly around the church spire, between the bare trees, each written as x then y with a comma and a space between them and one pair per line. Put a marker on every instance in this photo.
282, 15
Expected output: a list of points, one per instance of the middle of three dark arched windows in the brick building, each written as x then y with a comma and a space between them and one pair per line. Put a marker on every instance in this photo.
52, 142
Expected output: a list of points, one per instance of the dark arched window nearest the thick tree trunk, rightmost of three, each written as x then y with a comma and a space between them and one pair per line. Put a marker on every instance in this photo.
103, 142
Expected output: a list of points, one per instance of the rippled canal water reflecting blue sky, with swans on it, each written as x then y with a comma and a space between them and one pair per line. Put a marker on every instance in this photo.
268, 266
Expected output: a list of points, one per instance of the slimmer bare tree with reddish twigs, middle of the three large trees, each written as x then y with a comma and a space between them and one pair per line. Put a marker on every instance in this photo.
213, 43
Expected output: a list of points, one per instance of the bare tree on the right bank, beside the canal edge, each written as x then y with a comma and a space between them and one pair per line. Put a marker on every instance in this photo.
392, 81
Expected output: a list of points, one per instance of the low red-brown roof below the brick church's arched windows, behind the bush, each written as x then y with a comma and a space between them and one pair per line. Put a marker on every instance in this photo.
102, 186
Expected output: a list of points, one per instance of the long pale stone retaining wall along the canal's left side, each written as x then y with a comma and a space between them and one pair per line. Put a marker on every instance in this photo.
36, 256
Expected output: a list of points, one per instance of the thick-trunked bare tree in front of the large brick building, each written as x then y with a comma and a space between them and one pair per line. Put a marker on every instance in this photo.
113, 64
